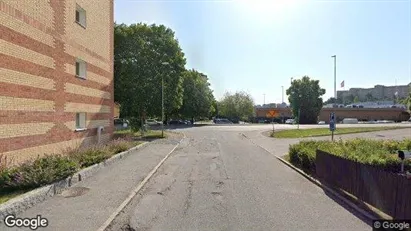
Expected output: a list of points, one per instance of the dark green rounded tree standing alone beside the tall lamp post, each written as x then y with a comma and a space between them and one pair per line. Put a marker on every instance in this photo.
305, 97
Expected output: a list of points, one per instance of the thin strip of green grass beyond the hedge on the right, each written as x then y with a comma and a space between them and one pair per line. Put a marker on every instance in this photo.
313, 132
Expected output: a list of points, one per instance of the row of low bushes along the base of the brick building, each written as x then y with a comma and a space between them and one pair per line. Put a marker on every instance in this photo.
52, 168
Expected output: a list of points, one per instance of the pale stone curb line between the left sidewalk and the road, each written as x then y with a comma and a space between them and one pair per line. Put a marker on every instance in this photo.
137, 189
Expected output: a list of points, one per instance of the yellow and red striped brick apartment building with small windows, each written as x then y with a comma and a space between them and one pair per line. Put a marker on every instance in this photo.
56, 75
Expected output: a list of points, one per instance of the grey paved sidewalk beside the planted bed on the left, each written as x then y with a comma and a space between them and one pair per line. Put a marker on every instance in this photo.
103, 192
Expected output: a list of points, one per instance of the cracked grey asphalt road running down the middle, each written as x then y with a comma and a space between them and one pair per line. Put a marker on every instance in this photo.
219, 180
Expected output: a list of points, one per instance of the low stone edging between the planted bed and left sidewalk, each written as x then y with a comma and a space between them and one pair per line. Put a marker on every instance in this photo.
27, 200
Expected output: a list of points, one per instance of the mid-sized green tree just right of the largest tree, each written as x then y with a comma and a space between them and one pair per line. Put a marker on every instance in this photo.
197, 97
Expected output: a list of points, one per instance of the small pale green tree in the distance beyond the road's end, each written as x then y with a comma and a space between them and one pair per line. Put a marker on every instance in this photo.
236, 106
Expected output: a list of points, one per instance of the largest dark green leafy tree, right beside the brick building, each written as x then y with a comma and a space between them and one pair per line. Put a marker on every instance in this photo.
139, 51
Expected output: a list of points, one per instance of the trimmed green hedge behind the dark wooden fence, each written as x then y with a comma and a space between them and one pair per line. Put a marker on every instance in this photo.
378, 153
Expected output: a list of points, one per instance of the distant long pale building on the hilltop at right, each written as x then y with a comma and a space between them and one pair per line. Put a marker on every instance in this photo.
379, 92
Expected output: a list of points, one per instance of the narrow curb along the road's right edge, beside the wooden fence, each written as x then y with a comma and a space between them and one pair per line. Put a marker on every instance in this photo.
319, 184
